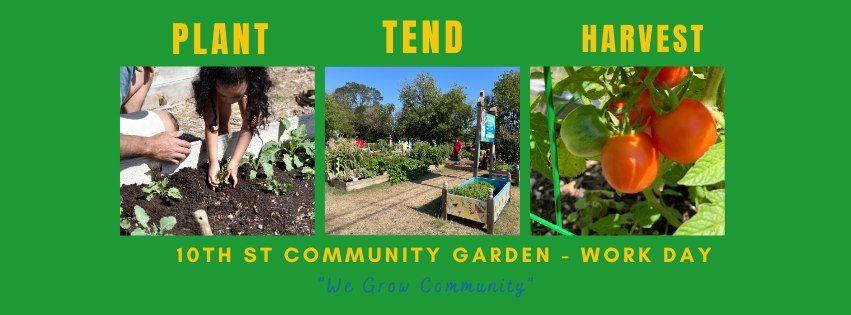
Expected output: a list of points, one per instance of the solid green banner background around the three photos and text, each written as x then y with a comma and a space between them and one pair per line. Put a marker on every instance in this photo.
786, 160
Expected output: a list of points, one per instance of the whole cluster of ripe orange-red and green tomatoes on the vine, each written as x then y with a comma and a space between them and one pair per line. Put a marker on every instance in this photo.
630, 160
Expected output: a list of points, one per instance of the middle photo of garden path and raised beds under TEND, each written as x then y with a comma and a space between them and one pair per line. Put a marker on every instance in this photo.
422, 151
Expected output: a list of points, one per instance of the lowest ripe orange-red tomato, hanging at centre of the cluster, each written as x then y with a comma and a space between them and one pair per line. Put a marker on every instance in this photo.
629, 162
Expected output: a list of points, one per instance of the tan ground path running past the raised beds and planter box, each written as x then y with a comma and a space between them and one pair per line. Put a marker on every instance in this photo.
409, 208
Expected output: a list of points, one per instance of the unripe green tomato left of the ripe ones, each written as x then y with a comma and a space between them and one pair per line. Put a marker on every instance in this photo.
584, 131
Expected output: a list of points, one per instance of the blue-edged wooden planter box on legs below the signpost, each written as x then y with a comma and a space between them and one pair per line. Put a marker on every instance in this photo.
483, 211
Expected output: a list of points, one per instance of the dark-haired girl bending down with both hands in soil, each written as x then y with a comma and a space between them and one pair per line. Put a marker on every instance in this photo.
216, 90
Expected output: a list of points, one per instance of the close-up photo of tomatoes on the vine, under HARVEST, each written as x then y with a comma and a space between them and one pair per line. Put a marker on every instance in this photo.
627, 150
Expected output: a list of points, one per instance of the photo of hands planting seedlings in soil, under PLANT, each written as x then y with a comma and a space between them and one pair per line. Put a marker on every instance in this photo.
217, 150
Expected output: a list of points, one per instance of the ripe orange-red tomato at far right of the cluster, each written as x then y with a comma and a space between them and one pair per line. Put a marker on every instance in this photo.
686, 133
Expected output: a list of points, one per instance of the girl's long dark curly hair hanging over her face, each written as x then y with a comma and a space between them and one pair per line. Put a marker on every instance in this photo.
258, 86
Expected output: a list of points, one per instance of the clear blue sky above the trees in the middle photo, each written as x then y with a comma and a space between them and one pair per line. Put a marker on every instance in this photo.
389, 80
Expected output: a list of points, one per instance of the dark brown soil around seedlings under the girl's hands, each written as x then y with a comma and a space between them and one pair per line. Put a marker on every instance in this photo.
244, 210
